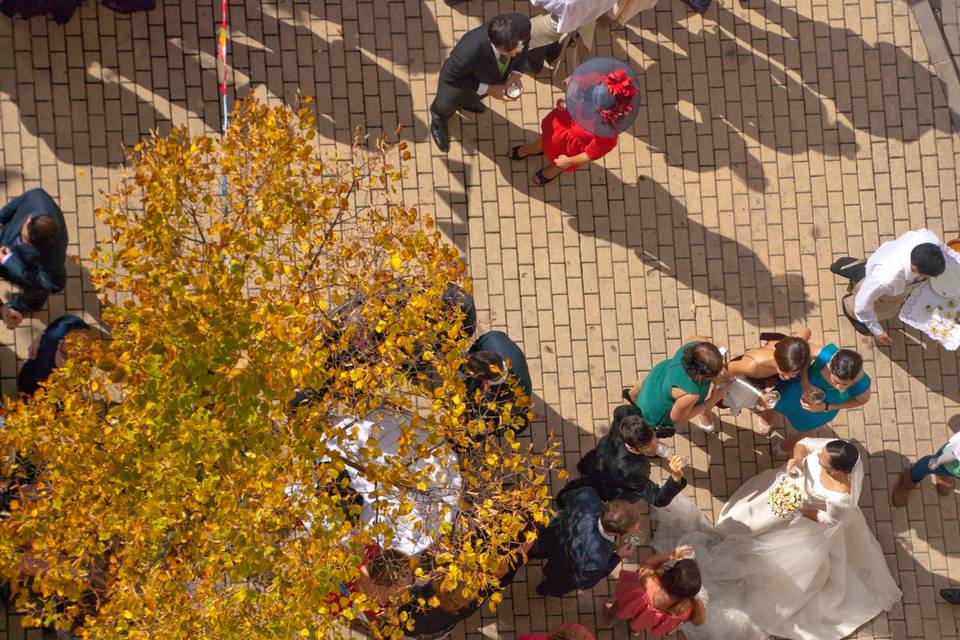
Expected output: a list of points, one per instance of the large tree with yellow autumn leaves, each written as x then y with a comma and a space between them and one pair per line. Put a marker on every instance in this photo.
279, 390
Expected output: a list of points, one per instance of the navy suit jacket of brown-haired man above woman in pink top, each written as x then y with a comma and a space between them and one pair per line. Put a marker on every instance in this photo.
573, 539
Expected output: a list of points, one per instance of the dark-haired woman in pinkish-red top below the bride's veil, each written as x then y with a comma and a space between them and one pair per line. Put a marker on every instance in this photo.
657, 597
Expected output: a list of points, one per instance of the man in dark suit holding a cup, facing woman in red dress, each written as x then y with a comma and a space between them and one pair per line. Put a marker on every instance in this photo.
486, 61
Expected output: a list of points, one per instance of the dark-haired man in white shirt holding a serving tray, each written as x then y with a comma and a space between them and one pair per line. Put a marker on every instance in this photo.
881, 286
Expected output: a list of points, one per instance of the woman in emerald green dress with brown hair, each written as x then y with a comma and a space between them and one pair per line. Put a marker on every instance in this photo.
677, 389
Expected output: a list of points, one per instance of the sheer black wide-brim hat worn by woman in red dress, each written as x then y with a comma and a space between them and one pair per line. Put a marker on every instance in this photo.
588, 94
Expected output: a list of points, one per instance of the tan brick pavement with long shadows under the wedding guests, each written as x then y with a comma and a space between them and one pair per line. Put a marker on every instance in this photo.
772, 138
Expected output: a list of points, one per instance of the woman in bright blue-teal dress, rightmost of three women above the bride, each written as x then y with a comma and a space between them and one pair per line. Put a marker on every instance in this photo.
835, 374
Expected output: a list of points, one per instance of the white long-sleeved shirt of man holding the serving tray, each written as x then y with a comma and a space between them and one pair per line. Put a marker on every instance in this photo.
888, 274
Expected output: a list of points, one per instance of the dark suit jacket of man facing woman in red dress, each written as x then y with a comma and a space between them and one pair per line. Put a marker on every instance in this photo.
473, 61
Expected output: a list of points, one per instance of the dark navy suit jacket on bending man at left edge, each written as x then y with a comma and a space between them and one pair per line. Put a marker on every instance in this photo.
36, 272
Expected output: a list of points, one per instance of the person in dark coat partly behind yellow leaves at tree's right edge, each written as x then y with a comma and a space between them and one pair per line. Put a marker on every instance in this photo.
495, 365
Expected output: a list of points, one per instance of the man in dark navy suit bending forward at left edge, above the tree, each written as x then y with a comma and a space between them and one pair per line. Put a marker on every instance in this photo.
33, 252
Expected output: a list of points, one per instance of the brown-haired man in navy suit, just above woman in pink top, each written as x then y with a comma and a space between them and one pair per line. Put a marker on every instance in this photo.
584, 542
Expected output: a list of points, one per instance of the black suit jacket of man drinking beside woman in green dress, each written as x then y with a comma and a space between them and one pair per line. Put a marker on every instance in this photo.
619, 474
